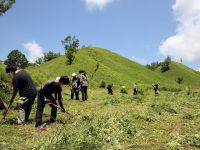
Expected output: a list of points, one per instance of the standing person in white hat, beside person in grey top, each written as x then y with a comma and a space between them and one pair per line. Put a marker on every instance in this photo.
75, 86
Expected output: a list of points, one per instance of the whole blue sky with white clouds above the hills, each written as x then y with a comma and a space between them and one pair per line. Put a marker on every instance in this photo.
141, 30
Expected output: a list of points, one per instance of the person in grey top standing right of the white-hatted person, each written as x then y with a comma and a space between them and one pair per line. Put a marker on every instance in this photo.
84, 84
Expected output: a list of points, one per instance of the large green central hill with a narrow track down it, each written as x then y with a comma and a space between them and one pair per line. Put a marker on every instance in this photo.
101, 65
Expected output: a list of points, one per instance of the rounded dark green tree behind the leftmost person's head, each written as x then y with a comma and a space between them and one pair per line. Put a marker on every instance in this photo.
16, 58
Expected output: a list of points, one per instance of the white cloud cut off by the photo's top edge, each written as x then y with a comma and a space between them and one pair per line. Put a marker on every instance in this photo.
97, 4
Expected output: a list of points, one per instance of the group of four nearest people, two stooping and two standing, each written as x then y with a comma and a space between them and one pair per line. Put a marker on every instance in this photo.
49, 93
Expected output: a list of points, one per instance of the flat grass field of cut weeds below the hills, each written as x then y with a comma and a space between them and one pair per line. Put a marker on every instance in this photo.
119, 121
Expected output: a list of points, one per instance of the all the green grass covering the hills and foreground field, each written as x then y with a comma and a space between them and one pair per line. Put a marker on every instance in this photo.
120, 121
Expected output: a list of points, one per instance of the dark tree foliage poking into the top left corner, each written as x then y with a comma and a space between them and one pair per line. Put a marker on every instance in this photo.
5, 5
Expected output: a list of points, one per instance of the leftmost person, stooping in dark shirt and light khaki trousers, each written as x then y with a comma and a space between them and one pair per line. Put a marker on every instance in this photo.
23, 83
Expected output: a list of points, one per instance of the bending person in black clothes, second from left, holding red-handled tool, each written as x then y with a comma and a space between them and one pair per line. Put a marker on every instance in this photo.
45, 95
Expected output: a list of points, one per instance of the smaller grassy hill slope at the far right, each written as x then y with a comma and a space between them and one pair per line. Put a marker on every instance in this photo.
190, 76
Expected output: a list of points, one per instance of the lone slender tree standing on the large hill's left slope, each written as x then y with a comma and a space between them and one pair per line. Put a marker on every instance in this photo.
71, 46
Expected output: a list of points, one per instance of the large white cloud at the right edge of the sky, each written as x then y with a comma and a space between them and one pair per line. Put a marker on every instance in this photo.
185, 43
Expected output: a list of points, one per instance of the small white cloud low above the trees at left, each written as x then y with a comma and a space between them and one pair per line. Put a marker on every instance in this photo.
34, 51
